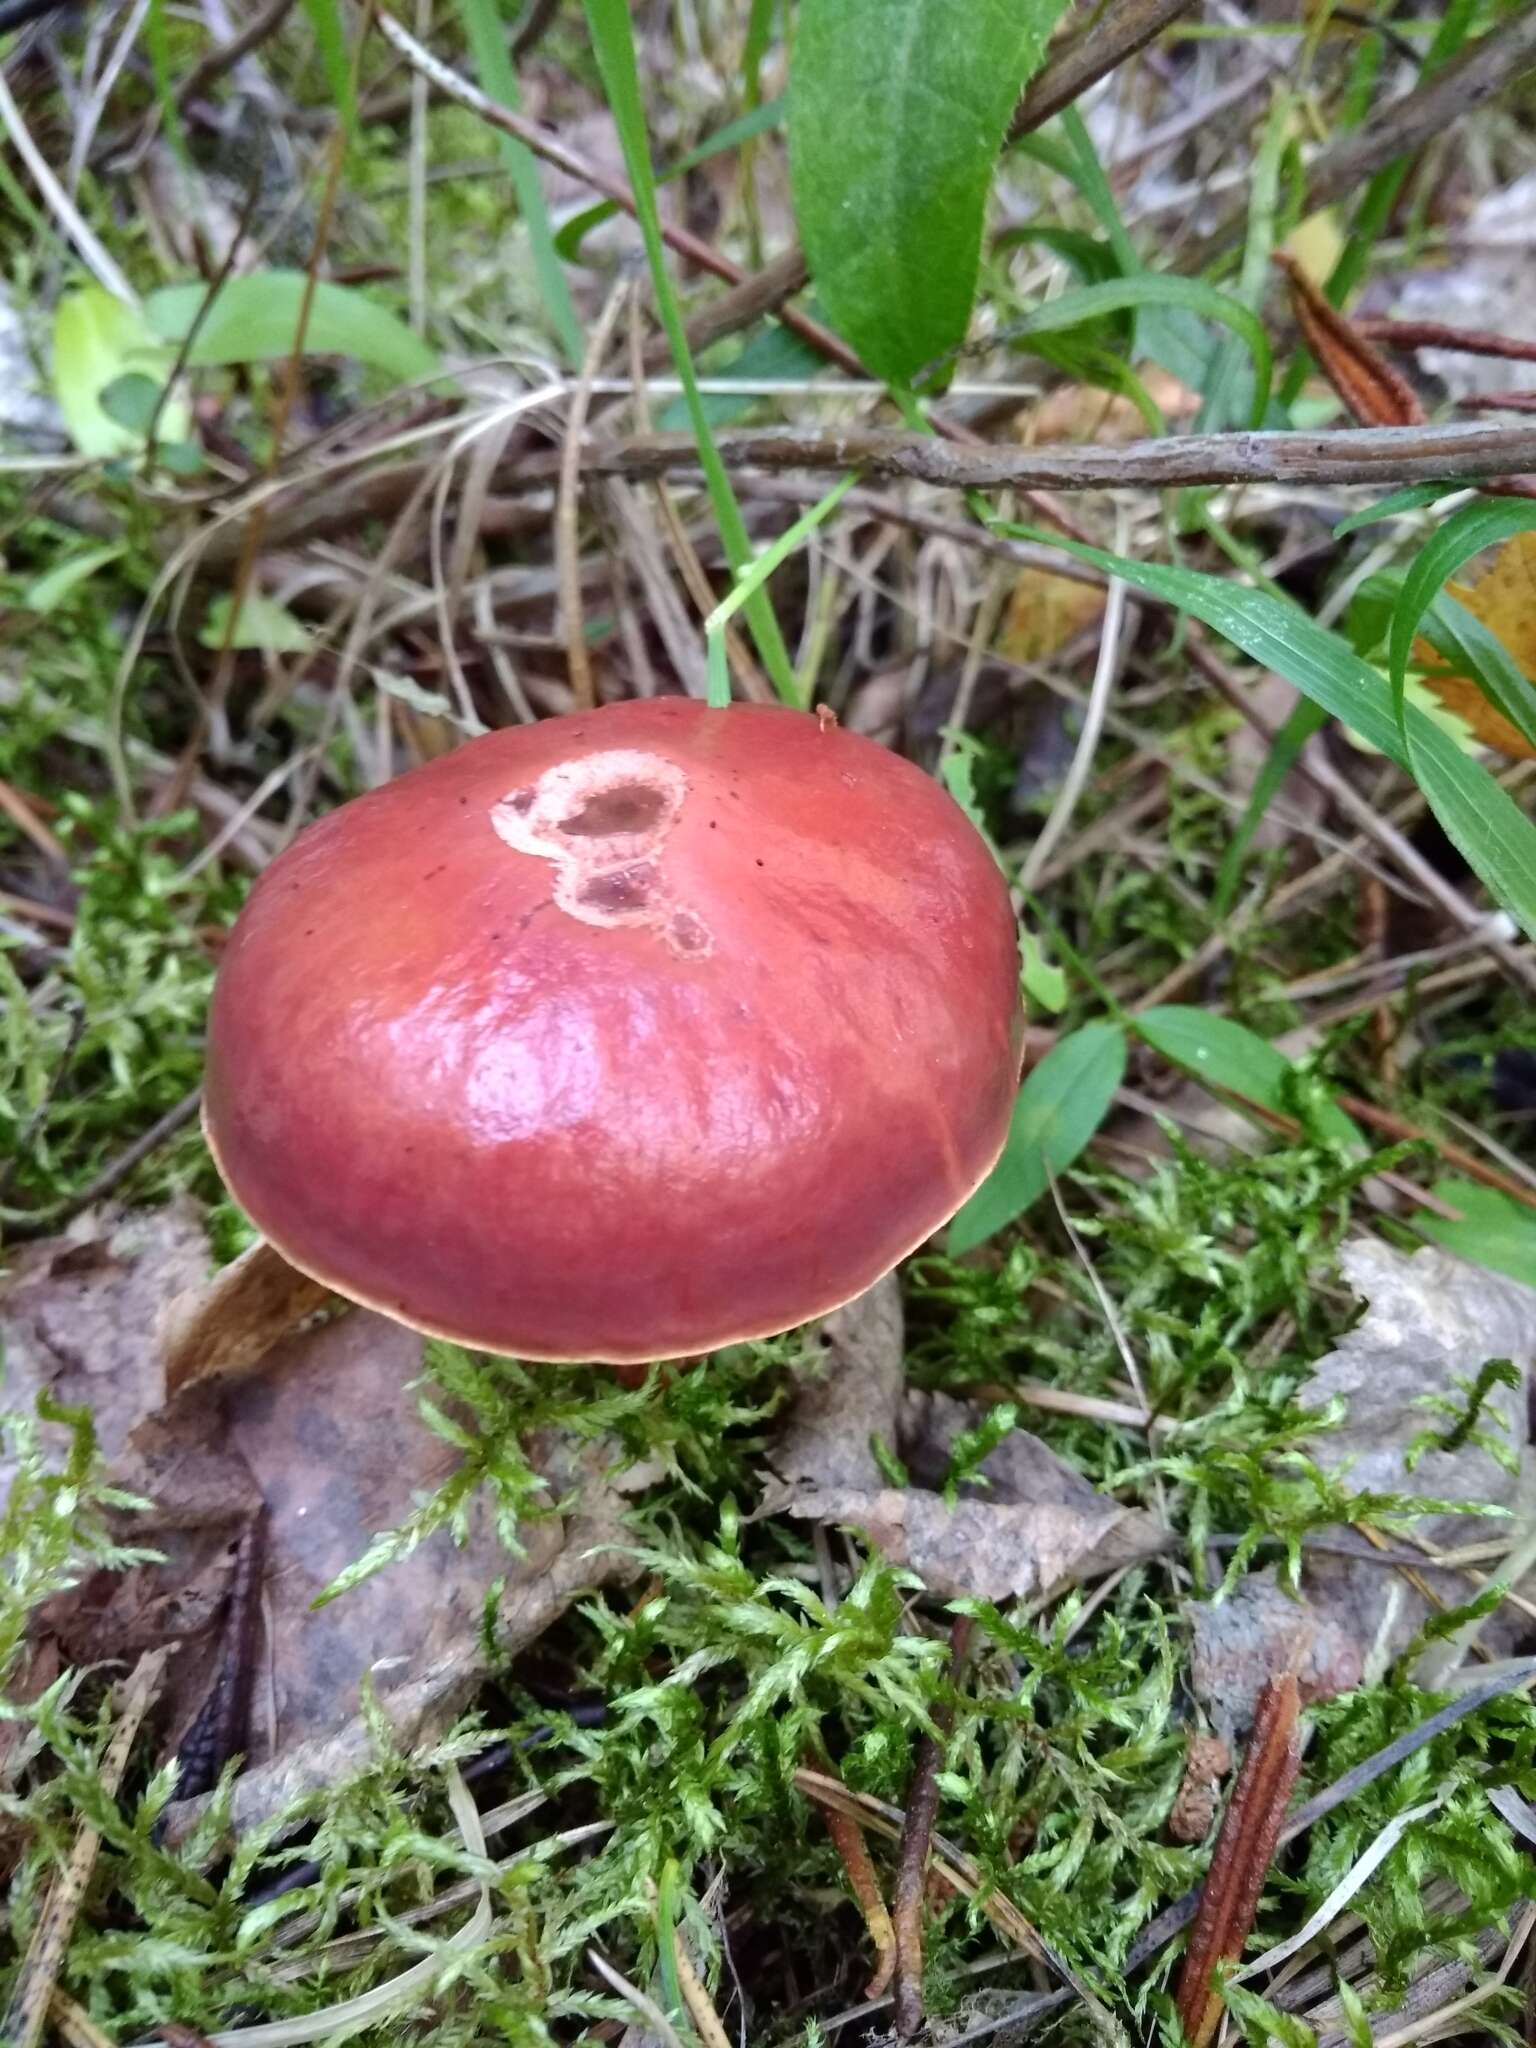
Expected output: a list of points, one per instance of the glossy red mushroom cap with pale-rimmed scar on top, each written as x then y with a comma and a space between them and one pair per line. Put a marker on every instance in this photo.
622, 1035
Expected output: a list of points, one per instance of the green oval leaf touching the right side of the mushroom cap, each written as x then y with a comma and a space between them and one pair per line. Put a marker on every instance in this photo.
1060, 1107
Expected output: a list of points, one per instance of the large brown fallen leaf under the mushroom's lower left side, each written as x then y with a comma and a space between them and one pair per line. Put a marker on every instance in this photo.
329, 1441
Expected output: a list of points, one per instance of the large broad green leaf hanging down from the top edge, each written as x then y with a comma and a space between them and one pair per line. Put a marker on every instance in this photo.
896, 118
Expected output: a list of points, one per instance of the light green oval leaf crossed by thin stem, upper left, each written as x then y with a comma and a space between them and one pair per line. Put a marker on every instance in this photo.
255, 321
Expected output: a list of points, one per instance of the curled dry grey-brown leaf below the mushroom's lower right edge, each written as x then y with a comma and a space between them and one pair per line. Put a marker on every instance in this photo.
1035, 1527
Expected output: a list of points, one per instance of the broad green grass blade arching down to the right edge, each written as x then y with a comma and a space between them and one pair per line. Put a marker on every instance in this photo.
1478, 814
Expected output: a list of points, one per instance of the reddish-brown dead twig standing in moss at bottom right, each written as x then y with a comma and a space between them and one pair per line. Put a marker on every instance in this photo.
1242, 1857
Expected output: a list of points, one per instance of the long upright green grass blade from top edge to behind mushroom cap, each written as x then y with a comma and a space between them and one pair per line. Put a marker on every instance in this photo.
615, 48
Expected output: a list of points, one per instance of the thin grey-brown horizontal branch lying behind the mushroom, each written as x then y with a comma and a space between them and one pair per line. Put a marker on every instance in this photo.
1381, 456
